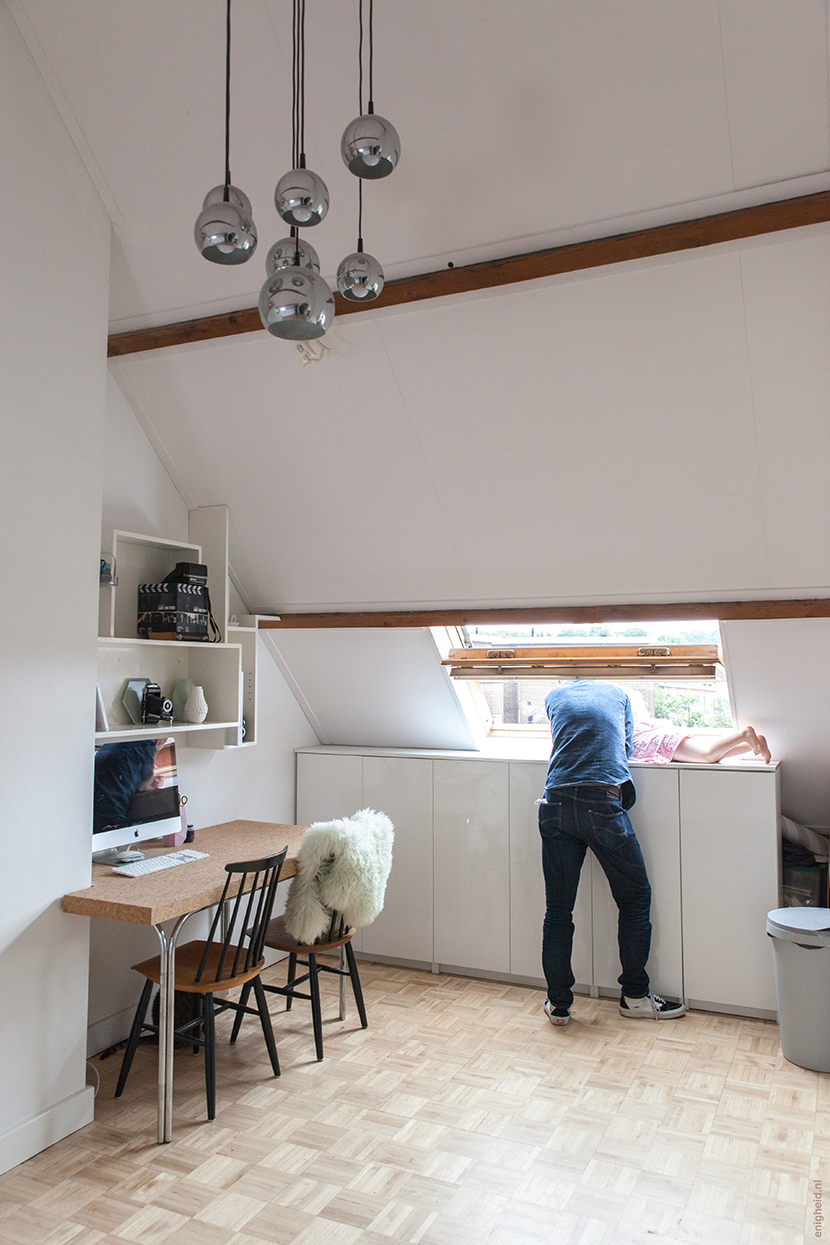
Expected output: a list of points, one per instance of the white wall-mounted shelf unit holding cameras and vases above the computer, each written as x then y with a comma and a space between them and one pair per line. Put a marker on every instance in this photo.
226, 670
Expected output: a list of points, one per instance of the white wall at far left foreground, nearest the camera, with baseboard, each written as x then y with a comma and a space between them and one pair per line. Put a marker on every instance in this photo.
54, 265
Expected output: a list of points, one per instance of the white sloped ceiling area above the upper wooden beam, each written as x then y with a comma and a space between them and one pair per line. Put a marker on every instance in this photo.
520, 123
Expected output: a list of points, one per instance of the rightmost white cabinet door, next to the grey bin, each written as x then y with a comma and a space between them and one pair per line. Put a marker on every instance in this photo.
730, 847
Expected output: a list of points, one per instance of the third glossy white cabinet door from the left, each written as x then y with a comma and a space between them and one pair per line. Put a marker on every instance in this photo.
472, 911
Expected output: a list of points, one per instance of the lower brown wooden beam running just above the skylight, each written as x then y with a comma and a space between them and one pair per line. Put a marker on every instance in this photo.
542, 616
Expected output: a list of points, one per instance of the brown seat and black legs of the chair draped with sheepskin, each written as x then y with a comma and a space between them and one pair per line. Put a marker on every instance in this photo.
338, 939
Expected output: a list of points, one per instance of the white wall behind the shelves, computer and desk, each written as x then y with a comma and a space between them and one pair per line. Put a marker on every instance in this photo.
254, 782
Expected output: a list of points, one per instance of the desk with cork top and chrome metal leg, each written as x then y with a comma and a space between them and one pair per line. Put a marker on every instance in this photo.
175, 895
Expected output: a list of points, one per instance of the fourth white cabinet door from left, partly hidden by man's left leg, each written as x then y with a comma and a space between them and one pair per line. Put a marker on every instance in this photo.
528, 885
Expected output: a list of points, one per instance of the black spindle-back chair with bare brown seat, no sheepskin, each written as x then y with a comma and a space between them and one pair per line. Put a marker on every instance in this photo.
207, 968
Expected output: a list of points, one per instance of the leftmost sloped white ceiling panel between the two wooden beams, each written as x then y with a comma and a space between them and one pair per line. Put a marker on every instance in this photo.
320, 467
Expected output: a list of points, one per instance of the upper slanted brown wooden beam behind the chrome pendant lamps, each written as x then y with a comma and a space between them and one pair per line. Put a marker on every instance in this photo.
600, 252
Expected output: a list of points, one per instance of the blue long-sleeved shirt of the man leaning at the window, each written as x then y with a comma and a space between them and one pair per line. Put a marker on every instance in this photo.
592, 730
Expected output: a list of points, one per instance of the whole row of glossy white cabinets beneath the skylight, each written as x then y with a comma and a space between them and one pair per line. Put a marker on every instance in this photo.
469, 858
